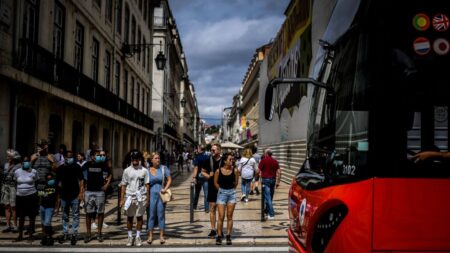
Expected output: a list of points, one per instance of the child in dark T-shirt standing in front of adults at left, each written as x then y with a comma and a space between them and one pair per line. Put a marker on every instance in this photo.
49, 203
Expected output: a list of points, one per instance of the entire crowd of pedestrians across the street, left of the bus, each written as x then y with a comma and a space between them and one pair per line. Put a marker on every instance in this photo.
44, 183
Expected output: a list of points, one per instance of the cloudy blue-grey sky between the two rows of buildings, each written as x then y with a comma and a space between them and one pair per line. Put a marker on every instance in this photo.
219, 39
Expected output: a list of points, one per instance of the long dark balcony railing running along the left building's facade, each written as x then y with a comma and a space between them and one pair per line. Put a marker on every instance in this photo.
42, 64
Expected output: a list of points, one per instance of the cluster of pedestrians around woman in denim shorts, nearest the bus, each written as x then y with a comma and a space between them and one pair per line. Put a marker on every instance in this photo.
218, 174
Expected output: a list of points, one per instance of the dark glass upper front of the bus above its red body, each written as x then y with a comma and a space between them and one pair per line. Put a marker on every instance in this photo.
392, 83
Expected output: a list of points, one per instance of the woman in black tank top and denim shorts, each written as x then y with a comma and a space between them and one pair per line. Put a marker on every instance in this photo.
225, 180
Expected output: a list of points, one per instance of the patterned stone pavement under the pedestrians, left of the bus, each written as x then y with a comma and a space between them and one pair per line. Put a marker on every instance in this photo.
247, 228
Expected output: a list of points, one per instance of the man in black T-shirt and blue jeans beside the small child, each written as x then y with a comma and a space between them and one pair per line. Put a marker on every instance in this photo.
70, 179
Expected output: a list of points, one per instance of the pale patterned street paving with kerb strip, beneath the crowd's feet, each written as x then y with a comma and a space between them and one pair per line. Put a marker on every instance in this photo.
180, 235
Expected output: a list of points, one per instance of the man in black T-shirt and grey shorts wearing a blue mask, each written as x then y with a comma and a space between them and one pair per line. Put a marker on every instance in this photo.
94, 195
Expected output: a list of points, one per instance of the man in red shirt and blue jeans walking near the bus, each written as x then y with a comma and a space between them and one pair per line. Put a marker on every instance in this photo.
270, 175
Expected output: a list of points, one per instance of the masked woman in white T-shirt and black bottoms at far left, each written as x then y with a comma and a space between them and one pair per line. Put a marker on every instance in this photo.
27, 201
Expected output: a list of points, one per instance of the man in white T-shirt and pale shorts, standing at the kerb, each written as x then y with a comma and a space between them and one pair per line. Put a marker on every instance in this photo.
134, 197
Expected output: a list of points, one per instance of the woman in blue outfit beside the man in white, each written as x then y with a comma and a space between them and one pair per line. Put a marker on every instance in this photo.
157, 208
